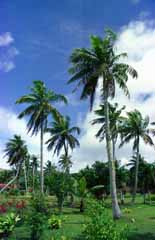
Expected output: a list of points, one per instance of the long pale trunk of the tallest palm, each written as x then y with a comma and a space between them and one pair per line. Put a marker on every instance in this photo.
115, 207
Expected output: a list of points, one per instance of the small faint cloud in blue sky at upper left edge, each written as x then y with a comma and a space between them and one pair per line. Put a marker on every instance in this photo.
7, 52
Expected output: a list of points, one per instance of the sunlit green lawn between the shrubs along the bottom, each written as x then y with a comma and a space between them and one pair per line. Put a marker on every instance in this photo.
140, 217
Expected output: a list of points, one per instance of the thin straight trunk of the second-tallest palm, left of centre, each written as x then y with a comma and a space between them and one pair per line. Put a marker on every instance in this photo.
41, 159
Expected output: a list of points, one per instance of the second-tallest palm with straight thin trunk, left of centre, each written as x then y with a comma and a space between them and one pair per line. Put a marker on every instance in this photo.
39, 108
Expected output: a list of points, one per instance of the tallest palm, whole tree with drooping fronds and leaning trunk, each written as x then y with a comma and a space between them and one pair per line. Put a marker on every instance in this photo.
97, 64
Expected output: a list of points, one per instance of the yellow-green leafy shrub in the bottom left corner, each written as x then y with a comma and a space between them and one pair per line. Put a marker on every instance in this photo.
7, 224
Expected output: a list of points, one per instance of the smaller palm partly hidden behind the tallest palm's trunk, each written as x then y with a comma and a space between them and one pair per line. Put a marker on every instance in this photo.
114, 118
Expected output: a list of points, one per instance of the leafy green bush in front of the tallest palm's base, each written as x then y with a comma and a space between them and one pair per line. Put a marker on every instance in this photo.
101, 226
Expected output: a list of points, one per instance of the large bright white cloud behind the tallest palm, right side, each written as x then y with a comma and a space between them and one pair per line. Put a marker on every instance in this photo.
137, 39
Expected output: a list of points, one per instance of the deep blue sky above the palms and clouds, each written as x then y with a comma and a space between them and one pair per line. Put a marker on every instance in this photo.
40, 36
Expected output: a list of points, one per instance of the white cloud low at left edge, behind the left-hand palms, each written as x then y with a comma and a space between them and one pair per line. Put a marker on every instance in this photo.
10, 125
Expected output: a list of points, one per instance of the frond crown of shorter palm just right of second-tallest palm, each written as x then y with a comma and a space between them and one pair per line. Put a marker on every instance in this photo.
62, 135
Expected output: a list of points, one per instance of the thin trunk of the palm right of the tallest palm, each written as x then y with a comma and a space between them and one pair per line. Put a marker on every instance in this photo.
136, 173
